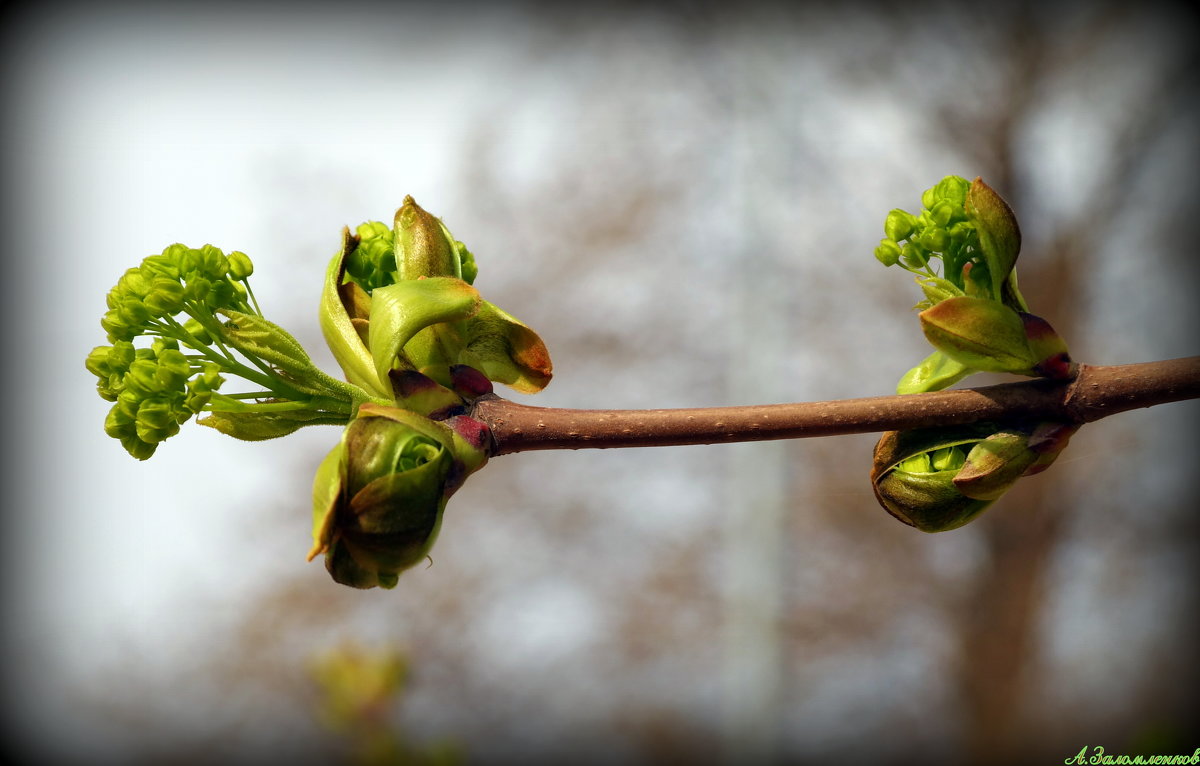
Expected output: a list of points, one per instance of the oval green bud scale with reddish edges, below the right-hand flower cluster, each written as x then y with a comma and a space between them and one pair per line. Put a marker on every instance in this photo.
980, 334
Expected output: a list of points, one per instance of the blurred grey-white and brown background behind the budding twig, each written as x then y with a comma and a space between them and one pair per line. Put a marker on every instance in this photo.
685, 204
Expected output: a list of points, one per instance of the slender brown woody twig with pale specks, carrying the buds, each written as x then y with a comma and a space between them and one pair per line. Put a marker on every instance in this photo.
1096, 393
